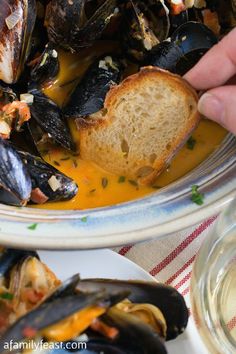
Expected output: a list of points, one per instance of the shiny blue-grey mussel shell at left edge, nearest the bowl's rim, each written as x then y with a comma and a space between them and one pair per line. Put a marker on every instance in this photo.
15, 182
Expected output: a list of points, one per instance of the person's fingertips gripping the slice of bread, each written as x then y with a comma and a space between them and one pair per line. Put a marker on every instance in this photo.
215, 69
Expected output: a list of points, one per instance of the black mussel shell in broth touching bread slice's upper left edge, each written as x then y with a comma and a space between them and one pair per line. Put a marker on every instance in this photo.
90, 93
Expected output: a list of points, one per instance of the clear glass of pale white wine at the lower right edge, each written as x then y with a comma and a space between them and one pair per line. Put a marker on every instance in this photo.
213, 286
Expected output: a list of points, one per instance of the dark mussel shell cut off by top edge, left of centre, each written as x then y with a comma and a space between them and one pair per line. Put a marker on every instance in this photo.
77, 24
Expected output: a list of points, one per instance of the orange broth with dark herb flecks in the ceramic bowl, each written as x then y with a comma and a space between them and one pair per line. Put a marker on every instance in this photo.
97, 187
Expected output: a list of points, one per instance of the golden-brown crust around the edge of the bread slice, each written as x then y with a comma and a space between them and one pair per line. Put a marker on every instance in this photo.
104, 119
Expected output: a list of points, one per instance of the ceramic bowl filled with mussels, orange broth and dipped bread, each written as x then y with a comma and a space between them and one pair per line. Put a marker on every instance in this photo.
92, 104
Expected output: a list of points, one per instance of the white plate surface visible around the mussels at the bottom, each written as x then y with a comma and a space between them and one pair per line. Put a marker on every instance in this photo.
108, 264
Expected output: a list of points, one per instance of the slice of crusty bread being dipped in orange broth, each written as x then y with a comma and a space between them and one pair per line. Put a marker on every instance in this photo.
145, 120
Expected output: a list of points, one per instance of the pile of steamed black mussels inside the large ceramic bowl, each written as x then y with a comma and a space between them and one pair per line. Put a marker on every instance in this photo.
171, 34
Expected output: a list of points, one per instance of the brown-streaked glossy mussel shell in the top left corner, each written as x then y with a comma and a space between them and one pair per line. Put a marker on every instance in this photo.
17, 21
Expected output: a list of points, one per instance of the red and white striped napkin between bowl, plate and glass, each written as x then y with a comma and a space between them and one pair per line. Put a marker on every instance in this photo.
170, 259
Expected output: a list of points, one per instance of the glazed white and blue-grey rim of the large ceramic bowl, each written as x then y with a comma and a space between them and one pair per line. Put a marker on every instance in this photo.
164, 212
